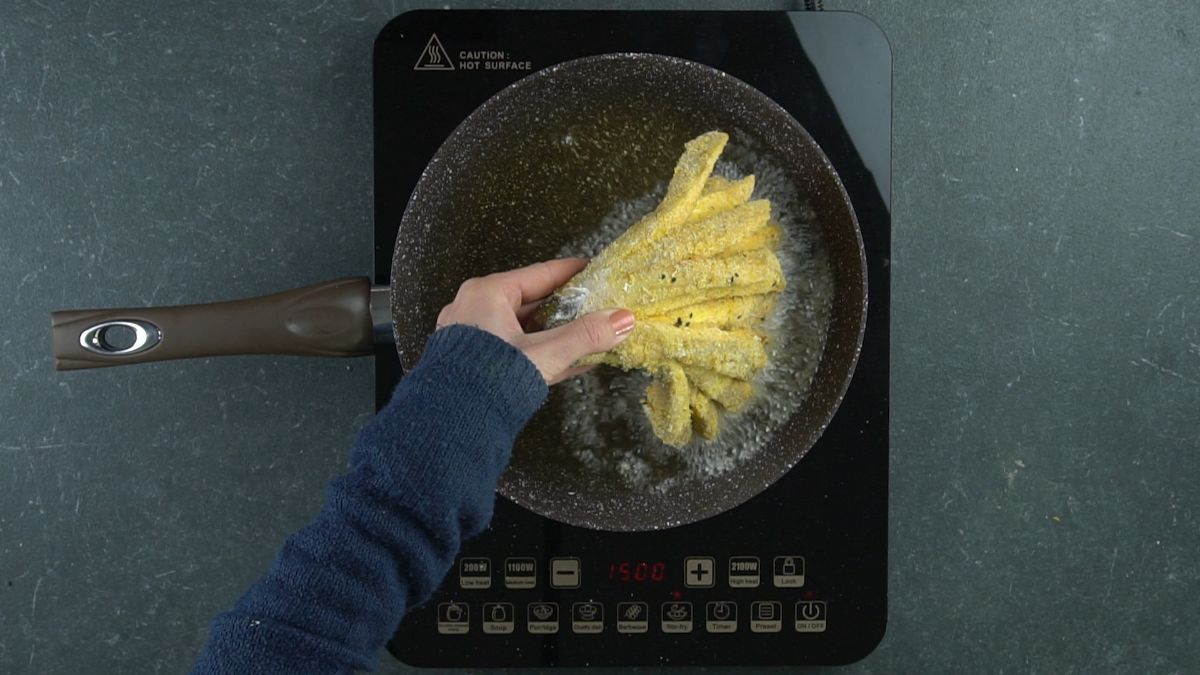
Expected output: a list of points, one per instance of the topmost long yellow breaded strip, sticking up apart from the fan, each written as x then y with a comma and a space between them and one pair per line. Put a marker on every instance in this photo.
688, 182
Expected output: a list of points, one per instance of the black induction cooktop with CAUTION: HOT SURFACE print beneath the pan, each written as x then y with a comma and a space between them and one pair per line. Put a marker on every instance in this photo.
795, 576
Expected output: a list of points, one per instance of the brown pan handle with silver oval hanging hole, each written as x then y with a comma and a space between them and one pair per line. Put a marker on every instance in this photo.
333, 319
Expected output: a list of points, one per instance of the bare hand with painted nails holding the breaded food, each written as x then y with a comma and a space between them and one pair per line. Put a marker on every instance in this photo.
502, 303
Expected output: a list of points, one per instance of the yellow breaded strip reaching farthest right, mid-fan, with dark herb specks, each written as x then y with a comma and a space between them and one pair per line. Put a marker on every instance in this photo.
662, 289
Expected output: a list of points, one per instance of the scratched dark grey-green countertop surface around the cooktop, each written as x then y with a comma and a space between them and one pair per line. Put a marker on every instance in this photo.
1046, 516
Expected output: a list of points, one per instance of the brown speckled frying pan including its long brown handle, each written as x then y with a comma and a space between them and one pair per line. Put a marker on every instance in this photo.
537, 166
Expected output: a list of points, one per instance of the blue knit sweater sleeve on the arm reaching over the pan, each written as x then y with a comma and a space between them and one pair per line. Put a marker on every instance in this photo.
423, 479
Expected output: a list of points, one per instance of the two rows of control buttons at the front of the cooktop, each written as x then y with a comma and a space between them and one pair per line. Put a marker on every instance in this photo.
722, 595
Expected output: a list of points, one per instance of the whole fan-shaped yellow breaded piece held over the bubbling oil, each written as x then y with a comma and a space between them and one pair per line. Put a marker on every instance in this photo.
701, 276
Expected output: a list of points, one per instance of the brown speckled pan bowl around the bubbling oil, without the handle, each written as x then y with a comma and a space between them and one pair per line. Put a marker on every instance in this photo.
539, 165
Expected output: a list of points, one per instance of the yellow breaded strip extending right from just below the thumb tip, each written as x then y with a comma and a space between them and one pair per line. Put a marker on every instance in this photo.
734, 354
